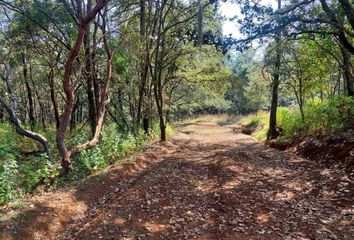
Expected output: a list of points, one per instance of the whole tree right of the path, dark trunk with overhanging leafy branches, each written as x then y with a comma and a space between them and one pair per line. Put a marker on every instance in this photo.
327, 24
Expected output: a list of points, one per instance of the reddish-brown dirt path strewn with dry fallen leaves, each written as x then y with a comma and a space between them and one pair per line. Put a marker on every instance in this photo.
210, 182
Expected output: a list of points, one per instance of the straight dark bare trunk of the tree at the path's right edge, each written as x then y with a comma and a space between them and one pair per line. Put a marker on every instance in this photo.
272, 133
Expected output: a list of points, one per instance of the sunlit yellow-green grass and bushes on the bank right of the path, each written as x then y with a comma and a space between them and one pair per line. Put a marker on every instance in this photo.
320, 116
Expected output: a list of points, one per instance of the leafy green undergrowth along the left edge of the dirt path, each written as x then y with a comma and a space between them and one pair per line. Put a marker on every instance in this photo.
19, 174
